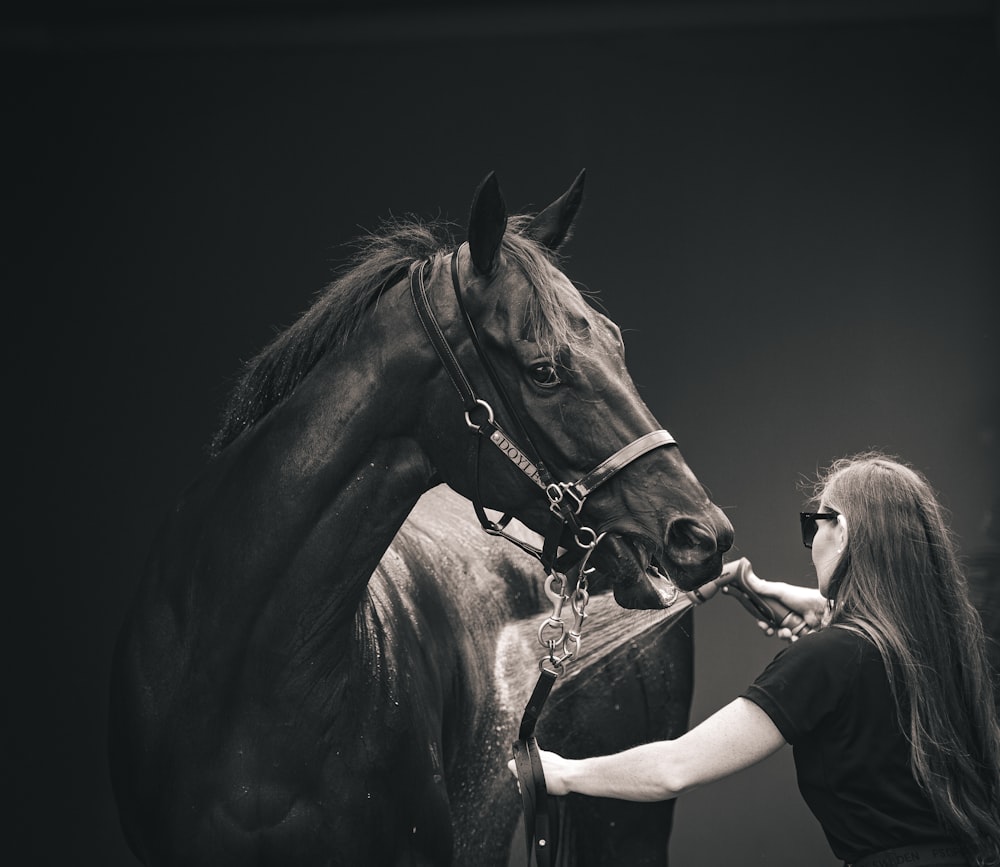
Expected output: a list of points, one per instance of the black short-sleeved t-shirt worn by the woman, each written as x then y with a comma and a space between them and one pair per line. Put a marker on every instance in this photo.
828, 695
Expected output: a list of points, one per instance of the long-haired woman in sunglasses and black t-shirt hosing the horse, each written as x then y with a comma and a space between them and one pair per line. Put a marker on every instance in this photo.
888, 704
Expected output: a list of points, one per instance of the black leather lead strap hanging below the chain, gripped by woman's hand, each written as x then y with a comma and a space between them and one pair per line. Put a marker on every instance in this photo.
540, 812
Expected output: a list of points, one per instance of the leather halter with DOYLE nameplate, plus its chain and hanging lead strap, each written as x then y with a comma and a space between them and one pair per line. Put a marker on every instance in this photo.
566, 501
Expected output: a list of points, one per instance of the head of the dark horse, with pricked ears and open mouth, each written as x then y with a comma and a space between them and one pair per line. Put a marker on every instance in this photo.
543, 373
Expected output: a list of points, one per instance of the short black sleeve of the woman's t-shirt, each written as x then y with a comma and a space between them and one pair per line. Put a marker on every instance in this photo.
807, 680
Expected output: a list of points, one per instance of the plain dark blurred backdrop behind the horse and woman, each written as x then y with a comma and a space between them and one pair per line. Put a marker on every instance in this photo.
792, 211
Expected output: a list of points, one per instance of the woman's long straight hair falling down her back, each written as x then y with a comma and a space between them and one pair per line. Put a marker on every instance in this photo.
899, 582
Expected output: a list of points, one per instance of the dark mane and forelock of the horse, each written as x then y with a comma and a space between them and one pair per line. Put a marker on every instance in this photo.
380, 259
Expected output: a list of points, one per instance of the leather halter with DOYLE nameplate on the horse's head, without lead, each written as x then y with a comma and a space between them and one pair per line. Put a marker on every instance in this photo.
566, 499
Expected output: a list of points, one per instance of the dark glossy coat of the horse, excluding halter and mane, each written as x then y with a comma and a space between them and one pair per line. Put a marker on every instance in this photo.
304, 679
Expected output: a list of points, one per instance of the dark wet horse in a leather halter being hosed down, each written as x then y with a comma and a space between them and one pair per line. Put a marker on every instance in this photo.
299, 679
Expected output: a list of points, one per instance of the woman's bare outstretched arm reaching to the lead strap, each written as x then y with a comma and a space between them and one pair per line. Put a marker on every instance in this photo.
735, 737
